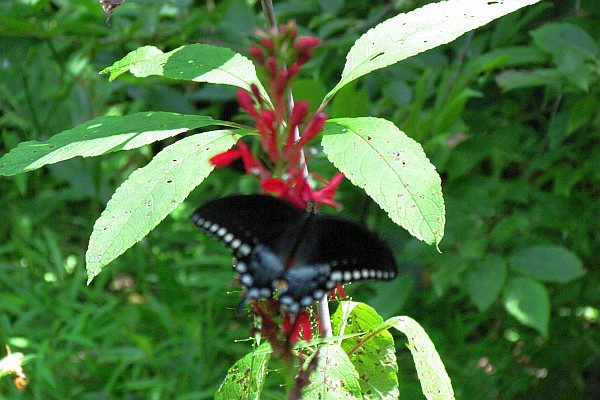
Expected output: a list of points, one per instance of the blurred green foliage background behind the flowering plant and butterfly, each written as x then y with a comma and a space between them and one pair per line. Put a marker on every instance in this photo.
514, 135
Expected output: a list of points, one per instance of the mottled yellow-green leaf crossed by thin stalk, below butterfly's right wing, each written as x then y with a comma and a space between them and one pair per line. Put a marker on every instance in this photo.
375, 359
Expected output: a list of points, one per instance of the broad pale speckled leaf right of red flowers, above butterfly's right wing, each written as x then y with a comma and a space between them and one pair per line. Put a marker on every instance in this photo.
393, 169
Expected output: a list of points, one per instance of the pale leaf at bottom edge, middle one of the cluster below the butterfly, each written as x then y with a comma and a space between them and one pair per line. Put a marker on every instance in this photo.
334, 378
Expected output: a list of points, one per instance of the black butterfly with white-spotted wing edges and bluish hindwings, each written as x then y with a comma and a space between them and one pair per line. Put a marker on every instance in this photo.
303, 255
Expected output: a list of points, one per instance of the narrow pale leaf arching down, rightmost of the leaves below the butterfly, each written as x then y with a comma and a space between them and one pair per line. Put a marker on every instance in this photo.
434, 379
